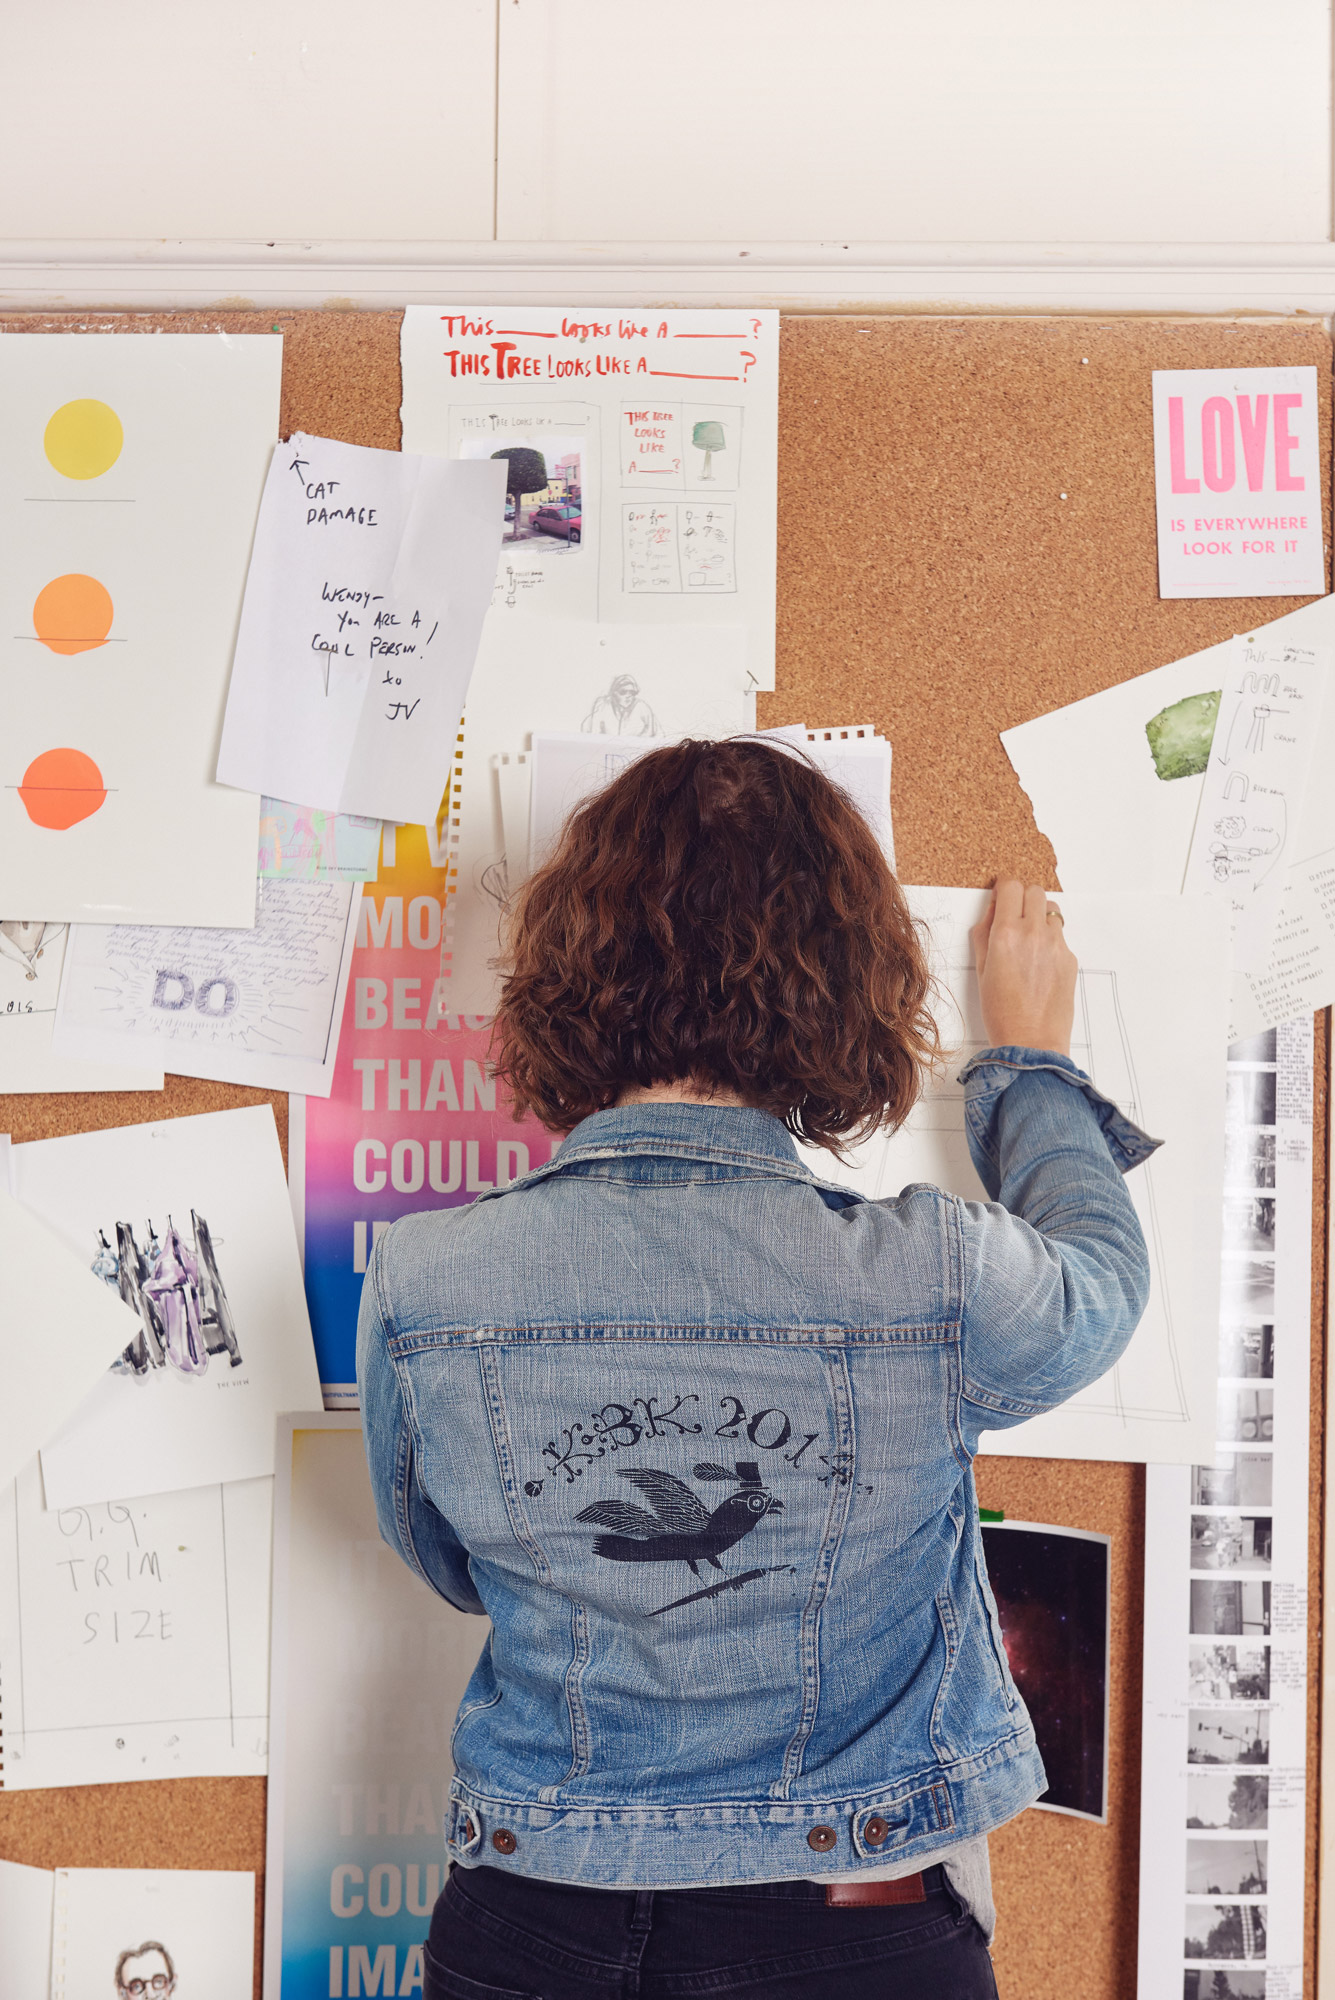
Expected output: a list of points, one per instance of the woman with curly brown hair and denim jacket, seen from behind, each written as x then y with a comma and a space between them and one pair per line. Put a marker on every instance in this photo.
696, 1429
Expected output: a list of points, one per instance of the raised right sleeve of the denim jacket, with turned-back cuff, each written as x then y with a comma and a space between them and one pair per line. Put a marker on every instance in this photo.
1056, 1273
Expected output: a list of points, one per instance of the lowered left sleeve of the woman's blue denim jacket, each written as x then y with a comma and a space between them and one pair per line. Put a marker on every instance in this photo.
411, 1523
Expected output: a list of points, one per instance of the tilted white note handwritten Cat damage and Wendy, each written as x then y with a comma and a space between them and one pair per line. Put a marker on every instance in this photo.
365, 601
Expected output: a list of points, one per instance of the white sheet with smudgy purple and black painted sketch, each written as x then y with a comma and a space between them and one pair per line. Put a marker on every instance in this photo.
195, 1211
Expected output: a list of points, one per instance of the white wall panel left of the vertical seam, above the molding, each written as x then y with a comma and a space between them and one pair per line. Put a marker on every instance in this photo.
249, 119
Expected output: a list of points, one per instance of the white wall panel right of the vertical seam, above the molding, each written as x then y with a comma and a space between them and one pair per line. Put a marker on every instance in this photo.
916, 121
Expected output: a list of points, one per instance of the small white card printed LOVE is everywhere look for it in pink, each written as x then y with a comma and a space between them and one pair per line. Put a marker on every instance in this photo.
1238, 483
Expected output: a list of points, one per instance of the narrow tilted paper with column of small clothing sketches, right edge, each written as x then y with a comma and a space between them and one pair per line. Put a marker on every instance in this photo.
1256, 785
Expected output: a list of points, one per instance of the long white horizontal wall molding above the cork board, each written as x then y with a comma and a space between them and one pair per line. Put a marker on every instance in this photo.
1012, 279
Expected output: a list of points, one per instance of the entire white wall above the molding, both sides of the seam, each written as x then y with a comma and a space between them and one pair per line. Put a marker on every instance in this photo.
657, 121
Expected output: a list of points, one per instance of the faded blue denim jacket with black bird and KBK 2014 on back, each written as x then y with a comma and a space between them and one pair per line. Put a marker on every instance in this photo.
696, 1431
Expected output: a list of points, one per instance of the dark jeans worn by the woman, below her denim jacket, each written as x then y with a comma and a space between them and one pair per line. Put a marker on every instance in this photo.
501, 1937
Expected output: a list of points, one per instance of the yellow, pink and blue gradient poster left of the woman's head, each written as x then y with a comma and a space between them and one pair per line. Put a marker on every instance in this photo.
415, 1119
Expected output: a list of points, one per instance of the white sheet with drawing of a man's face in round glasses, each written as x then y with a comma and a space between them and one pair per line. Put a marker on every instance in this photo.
199, 1925
